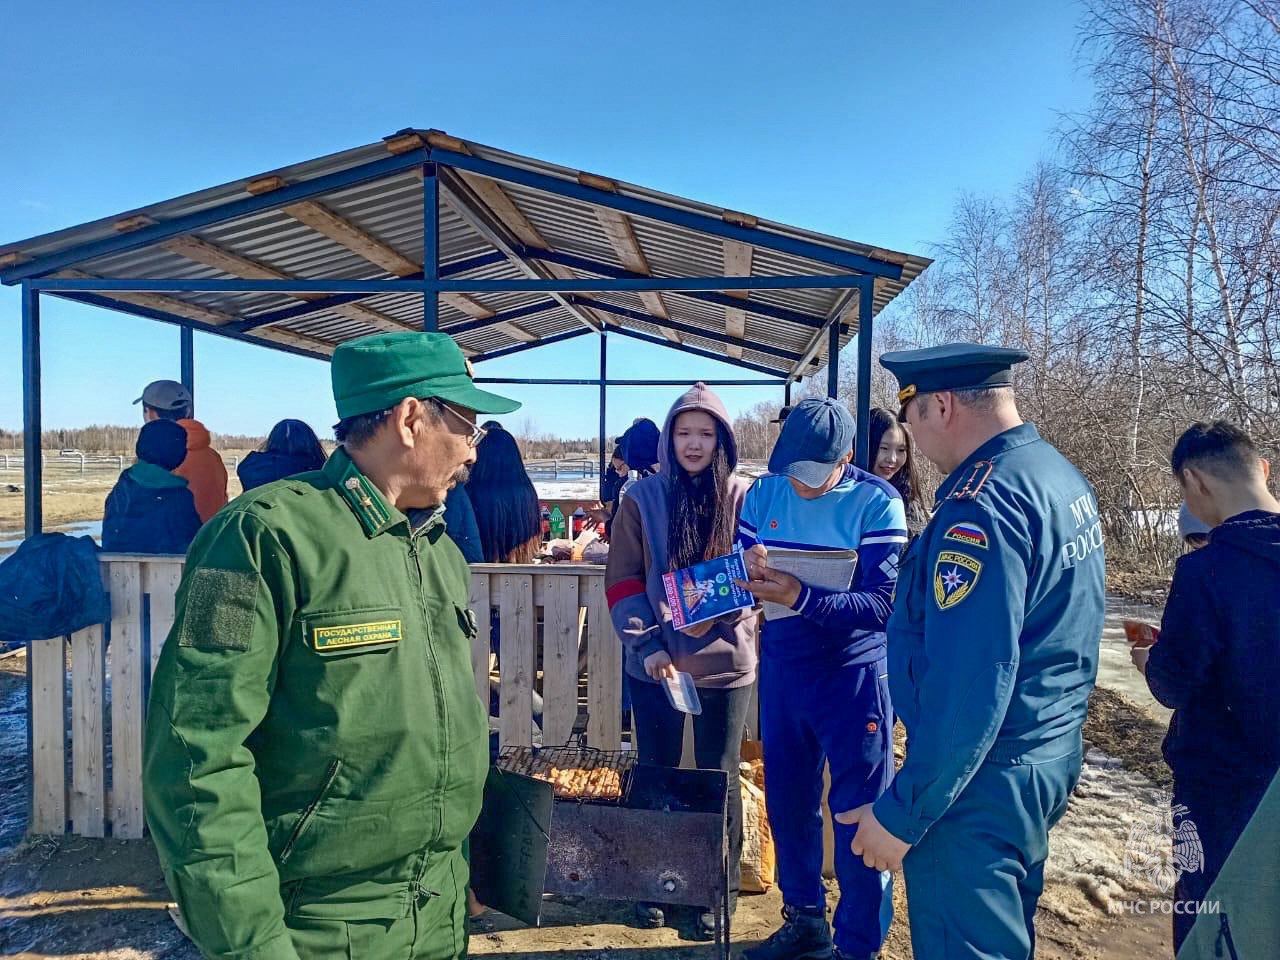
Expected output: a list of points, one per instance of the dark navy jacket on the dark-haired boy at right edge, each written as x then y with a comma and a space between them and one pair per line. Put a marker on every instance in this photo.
1218, 661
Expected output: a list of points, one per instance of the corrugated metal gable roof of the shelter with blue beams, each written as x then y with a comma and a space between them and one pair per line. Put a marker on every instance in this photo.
228, 260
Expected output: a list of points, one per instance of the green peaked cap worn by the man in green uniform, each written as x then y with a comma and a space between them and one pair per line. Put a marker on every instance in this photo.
378, 372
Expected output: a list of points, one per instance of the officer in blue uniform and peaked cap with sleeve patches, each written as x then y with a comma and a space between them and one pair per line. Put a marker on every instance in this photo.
993, 653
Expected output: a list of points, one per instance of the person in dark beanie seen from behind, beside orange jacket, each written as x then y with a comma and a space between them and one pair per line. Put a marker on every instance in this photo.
150, 510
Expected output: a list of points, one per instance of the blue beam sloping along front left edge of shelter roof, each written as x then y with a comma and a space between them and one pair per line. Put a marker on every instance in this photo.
222, 213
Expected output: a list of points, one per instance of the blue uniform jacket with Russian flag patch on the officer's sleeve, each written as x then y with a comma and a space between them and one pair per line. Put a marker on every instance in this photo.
994, 639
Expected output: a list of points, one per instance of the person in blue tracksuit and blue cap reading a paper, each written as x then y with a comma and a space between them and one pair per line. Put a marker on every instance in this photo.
824, 689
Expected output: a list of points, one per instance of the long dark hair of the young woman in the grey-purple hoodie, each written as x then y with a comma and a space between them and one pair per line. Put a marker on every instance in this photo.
702, 515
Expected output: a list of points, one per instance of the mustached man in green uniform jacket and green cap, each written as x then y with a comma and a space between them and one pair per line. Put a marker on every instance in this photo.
316, 749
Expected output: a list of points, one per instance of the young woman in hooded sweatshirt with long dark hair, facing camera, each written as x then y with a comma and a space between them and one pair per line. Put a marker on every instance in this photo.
684, 514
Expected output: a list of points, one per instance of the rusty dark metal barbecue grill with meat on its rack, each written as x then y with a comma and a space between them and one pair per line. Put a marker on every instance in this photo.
662, 839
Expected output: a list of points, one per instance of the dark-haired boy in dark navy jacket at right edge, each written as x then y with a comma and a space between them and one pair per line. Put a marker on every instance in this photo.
1218, 659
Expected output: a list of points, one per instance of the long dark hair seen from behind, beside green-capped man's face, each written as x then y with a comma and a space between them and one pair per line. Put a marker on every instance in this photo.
504, 497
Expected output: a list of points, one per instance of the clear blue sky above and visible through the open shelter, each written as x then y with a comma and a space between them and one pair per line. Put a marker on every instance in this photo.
863, 121
